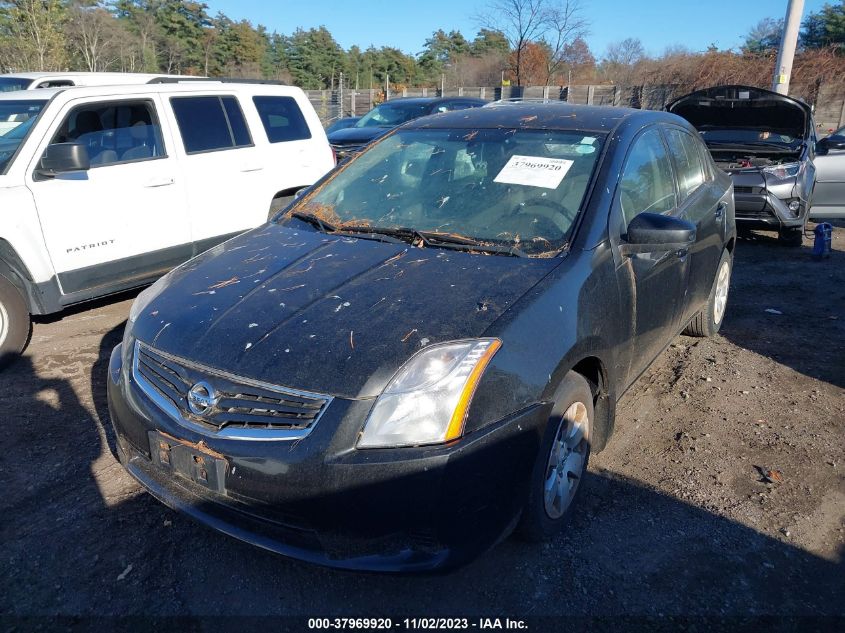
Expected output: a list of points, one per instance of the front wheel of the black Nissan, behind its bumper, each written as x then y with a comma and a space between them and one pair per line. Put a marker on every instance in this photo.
572, 417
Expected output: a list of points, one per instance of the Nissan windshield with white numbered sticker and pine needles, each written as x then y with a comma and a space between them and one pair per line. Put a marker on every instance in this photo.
512, 189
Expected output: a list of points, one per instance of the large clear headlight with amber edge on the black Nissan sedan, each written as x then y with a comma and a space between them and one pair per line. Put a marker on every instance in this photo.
426, 402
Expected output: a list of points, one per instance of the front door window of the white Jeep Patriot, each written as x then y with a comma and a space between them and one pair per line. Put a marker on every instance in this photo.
114, 132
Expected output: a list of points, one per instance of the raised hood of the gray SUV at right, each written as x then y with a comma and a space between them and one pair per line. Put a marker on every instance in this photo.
744, 107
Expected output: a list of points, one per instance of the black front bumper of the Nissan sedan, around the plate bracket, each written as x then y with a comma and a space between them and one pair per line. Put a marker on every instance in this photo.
320, 500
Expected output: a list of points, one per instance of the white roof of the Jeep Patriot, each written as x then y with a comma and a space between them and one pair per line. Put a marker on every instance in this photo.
178, 87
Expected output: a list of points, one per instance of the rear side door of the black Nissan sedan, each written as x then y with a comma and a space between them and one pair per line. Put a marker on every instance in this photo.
700, 202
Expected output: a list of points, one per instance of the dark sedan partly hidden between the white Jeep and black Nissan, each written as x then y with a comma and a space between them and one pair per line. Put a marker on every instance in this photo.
390, 114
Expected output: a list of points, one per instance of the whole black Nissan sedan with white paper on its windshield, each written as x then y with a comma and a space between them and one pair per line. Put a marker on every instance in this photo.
418, 355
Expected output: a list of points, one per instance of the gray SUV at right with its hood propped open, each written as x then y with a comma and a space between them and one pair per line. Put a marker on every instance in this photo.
766, 142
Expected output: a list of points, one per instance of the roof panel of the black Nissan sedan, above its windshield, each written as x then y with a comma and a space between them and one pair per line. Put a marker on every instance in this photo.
542, 116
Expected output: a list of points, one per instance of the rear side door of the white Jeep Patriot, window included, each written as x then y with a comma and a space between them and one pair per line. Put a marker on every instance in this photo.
221, 165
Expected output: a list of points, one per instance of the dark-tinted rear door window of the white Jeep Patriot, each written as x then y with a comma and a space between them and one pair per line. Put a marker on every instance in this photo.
210, 123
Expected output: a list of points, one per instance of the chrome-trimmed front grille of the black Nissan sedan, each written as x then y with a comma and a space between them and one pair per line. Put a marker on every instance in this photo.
238, 407
